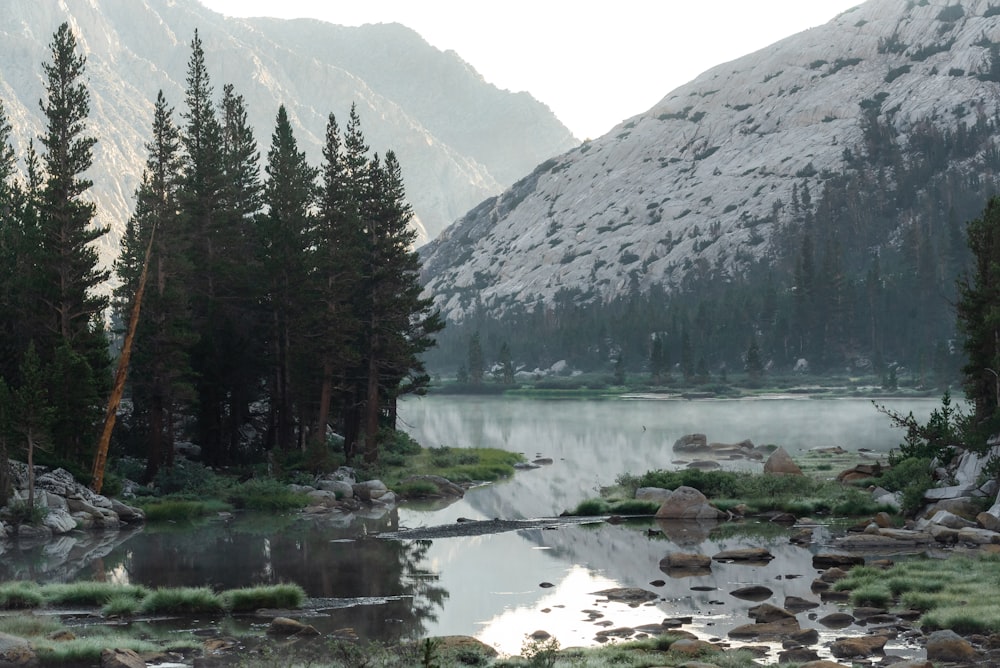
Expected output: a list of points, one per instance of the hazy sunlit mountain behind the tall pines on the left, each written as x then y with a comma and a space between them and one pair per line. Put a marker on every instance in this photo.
458, 138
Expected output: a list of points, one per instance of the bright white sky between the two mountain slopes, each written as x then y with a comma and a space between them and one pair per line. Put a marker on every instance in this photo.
593, 62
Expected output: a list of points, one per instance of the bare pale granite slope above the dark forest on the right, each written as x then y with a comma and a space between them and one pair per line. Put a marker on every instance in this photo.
700, 183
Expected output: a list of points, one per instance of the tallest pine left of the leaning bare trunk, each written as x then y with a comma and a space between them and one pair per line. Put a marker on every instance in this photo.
69, 259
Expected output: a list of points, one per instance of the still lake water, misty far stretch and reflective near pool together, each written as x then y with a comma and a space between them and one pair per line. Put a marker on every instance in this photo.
490, 586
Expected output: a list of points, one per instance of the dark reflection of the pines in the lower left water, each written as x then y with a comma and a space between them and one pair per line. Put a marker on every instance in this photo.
398, 593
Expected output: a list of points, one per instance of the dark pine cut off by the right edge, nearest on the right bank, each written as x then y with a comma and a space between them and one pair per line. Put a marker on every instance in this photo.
978, 312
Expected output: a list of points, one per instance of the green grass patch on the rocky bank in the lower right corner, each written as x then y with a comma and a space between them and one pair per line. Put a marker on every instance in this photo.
957, 593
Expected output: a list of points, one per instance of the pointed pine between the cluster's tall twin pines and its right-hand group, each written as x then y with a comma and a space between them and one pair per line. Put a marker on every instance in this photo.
289, 194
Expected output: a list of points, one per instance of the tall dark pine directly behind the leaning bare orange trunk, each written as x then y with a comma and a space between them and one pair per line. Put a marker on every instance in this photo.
160, 373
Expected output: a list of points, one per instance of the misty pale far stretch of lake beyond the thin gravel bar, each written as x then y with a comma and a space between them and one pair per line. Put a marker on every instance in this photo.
592, 442
